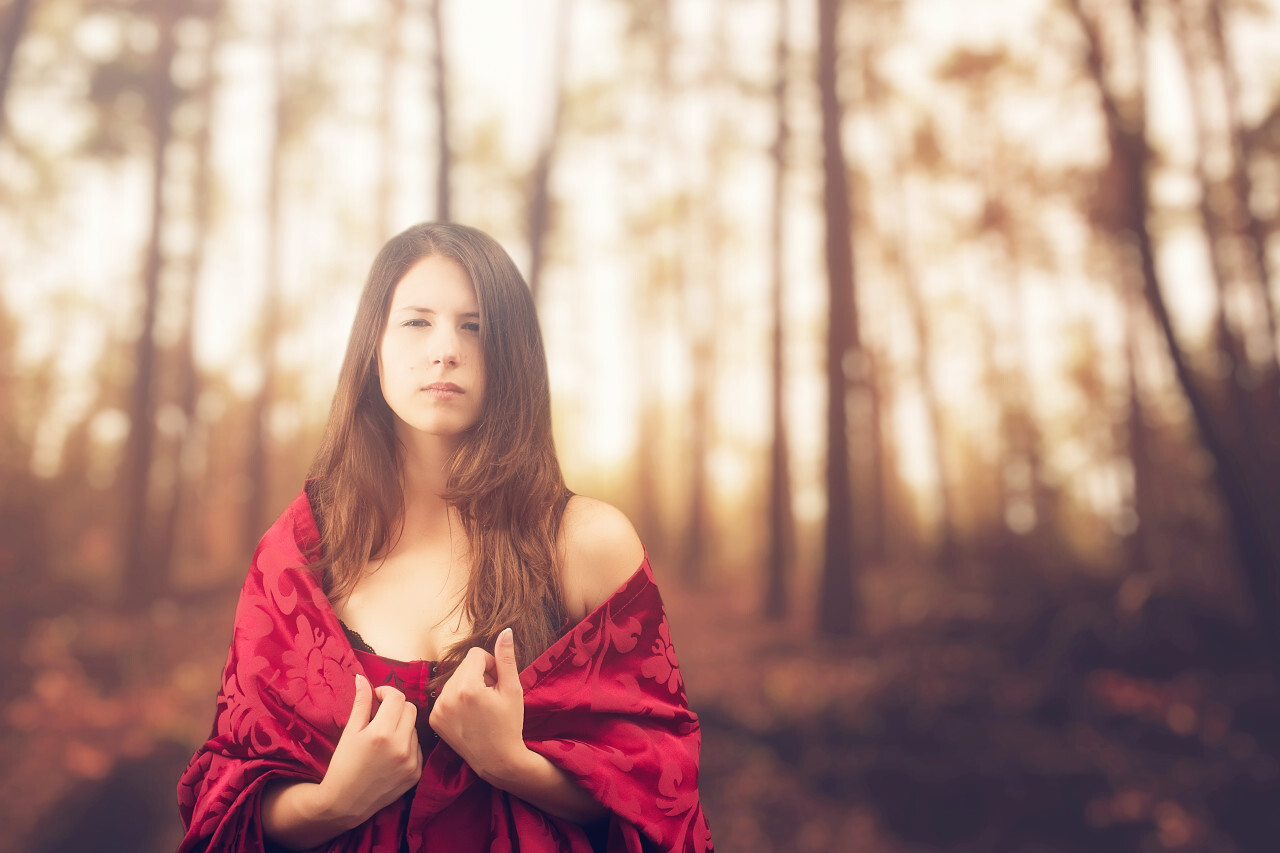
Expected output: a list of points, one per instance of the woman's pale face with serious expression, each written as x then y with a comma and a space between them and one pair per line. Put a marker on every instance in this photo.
429, 362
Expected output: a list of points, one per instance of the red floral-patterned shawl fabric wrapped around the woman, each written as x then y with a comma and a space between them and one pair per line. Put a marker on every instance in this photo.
606, 704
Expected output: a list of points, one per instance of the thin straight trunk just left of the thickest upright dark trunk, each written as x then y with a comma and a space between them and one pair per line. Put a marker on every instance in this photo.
778, 601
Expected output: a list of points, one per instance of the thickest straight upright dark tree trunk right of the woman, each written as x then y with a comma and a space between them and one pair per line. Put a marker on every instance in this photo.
836, 605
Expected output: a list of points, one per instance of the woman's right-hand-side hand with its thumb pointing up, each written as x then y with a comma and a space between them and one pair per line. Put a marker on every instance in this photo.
481, 711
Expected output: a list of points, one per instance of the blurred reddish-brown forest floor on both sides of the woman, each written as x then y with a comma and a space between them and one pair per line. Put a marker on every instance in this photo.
958, 719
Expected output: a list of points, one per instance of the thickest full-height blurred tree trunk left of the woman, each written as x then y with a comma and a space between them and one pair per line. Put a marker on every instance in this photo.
144, 578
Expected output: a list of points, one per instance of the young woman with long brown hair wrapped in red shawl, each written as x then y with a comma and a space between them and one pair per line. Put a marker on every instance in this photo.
438, 646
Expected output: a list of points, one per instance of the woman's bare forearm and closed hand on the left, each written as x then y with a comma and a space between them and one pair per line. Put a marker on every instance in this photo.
377, 760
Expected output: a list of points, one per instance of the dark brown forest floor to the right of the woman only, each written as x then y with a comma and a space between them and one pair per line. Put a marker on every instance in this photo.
985, 717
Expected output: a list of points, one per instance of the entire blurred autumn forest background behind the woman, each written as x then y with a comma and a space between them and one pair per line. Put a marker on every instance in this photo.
930, 345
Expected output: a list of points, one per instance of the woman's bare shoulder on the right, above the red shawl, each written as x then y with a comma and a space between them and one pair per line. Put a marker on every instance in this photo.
601, 551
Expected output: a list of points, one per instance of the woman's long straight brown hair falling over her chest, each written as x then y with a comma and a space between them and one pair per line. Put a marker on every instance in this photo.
505, 478
